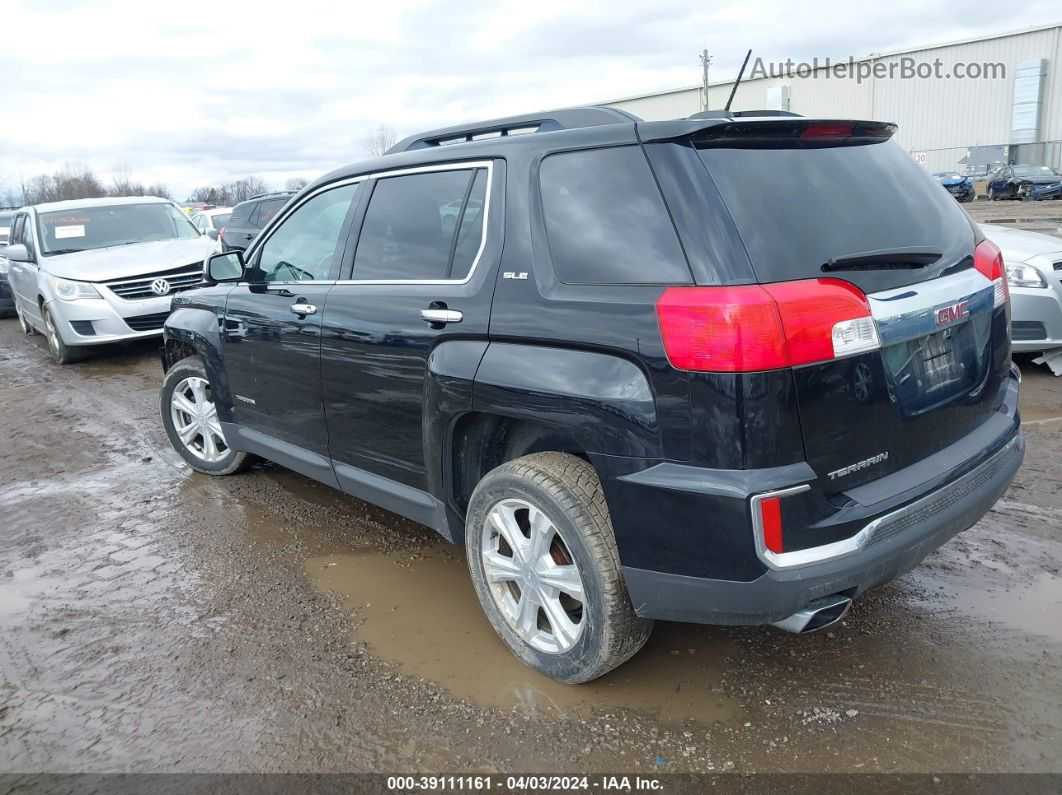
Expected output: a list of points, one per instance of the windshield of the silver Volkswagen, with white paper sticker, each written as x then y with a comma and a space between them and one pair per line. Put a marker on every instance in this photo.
82, 230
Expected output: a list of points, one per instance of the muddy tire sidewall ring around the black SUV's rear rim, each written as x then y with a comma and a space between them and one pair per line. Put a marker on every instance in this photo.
568, 666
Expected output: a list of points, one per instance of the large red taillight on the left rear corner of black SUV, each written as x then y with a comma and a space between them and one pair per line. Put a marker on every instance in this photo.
740, 330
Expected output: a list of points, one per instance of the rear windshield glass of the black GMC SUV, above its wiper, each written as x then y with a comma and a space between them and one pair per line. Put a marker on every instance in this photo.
800, 209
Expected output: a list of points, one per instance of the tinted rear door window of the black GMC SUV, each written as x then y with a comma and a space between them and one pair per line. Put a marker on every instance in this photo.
410, 227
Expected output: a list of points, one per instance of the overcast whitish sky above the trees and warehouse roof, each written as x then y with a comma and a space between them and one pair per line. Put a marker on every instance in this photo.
201, 93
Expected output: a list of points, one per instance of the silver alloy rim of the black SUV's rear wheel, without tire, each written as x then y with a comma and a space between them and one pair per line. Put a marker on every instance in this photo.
533, 577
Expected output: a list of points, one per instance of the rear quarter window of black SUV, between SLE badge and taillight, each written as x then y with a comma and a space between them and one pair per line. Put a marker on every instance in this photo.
606, 220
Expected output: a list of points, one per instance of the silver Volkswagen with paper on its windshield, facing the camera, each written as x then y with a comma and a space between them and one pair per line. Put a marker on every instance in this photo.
98, 271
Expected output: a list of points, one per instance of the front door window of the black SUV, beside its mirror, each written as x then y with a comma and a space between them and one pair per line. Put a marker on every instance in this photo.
304, 246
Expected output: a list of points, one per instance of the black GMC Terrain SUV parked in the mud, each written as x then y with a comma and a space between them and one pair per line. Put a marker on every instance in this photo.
733, 370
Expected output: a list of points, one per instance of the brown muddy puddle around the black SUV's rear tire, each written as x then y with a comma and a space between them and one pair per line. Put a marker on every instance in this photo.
424, 616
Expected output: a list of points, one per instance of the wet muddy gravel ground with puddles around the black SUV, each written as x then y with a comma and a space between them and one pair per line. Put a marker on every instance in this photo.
153, 619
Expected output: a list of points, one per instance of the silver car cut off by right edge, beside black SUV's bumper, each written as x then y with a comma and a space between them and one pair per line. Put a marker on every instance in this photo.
1034, 264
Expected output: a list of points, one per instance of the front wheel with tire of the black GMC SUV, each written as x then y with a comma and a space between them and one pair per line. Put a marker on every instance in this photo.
205, 452
